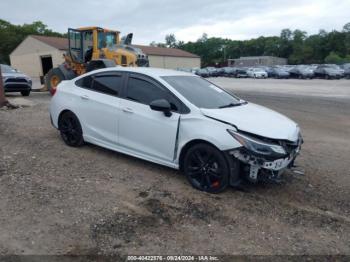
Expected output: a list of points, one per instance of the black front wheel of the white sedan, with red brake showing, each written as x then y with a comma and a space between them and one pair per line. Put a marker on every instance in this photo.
206, 168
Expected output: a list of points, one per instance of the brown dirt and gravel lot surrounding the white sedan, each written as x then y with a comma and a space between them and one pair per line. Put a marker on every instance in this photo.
61, 200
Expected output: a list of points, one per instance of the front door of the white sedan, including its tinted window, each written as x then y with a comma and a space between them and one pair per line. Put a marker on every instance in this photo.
141, 129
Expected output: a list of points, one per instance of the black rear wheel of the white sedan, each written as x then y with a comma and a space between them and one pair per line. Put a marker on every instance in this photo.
70, 129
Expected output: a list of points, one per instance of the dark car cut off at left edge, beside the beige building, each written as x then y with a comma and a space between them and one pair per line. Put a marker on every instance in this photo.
15, 81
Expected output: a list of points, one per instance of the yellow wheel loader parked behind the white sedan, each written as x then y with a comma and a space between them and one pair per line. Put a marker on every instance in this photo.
91, 48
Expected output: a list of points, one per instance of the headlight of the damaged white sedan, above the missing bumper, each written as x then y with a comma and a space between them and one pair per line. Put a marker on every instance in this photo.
258, 146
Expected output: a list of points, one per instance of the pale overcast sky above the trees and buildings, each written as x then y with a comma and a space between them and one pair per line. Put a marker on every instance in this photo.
151, 20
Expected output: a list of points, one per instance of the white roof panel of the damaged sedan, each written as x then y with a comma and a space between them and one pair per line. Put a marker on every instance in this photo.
151, 71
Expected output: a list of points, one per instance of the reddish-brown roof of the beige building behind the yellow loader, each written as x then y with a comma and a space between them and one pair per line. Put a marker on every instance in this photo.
62, 44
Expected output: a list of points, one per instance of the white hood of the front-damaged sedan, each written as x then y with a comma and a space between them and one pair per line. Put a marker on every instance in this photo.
257, 120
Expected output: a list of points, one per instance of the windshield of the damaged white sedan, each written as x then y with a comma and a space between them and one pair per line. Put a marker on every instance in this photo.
201, 92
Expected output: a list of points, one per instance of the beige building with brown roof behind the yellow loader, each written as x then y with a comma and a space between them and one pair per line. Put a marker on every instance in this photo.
36, 55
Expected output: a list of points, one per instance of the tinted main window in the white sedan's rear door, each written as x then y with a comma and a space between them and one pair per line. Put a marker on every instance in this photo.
110, 85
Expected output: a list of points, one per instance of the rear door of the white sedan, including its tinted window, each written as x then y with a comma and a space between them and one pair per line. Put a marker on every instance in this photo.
99, 106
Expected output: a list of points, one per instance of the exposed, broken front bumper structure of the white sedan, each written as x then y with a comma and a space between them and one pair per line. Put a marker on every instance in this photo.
257, 167
